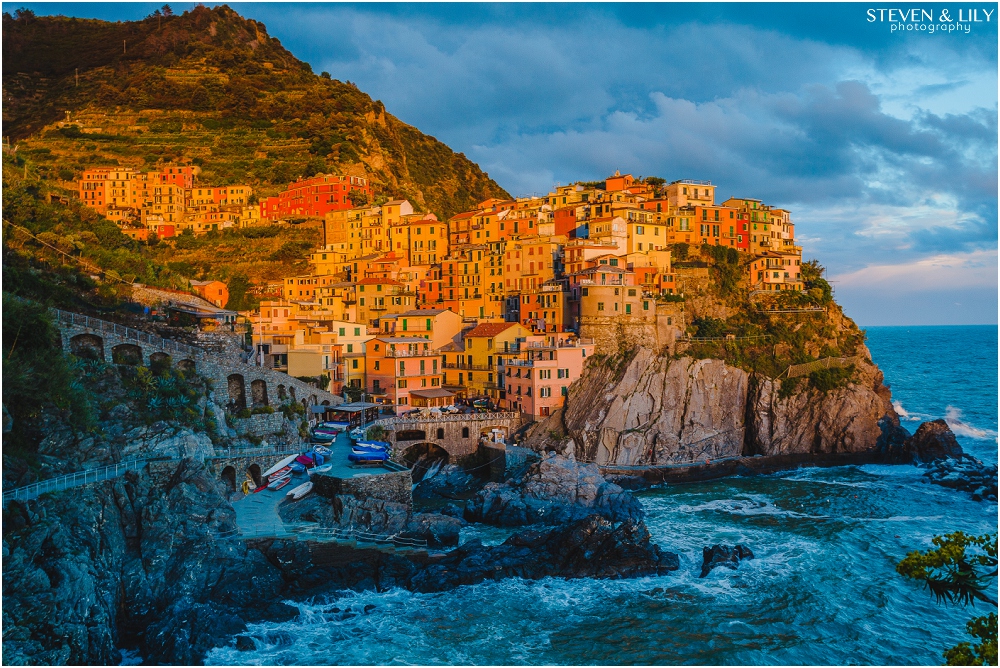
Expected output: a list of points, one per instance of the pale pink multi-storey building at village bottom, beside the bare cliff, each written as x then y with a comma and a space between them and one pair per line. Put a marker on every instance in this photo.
537, 380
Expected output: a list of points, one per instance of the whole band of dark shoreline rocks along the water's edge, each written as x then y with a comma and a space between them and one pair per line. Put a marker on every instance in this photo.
138, 563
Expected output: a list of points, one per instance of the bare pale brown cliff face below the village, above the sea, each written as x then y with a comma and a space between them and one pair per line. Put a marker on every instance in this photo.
669, 411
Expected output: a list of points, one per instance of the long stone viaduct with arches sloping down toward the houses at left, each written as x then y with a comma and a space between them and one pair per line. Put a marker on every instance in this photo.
238, 385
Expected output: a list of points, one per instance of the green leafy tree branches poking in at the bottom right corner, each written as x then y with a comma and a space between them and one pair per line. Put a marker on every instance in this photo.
954, 576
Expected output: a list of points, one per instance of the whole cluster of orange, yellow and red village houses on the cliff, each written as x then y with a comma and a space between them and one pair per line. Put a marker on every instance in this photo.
503, 303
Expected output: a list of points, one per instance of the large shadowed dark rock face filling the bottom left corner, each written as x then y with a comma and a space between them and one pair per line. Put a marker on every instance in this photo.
130, 563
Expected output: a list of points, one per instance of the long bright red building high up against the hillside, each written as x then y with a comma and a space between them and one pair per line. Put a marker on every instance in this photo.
314, 197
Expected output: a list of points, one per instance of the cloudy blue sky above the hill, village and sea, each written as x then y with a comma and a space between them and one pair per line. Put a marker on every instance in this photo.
881, 141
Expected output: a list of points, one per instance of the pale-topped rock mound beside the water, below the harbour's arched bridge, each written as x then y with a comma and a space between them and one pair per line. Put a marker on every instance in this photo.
553, 491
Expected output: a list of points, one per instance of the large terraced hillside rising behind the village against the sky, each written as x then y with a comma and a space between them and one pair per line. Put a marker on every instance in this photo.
212, 88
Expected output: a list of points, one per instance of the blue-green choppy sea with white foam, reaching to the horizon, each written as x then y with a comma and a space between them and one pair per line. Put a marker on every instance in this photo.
821, 590
